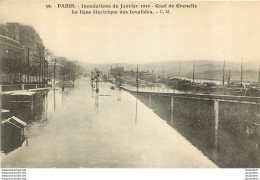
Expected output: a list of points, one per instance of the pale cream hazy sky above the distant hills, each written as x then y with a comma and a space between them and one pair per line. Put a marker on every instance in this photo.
213, 31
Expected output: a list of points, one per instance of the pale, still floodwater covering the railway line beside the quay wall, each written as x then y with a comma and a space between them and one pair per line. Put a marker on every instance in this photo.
78, 127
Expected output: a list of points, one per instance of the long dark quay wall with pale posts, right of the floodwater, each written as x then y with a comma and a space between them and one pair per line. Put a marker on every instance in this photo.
233, 113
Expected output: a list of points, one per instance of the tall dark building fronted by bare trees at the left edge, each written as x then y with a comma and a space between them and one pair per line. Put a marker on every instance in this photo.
30, 52
